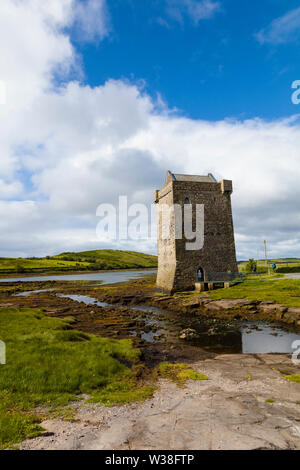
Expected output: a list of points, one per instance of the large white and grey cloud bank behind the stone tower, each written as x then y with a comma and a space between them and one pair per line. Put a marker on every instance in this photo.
65, 149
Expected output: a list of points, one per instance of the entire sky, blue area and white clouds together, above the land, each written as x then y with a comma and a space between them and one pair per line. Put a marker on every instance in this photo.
99, 98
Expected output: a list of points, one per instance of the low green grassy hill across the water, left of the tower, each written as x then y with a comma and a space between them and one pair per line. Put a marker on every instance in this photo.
85, 261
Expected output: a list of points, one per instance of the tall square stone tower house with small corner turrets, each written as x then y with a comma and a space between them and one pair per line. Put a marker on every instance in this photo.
179, 268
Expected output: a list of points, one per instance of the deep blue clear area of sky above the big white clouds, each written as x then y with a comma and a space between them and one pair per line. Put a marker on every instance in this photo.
211, 69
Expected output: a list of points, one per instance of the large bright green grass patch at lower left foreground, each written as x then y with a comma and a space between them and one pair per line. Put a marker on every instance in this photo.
50, 365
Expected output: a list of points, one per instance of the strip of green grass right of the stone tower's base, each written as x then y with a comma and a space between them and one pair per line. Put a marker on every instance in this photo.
282, 291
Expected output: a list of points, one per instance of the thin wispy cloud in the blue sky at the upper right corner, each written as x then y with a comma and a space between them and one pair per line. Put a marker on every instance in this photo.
283, 29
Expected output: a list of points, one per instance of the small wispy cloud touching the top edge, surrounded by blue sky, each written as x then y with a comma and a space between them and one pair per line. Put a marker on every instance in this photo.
195, 9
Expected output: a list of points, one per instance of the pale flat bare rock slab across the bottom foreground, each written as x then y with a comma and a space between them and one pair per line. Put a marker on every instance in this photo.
228, 411
